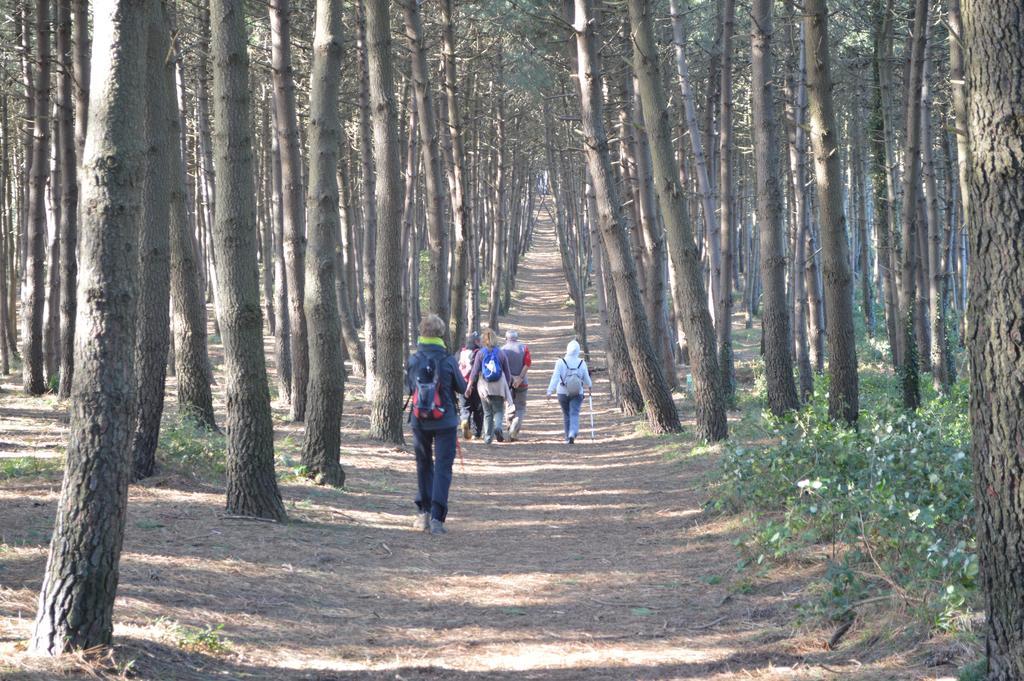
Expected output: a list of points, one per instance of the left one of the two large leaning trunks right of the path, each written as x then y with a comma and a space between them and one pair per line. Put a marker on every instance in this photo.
661, 409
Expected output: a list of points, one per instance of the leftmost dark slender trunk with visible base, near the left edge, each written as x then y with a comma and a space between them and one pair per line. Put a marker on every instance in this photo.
34, 296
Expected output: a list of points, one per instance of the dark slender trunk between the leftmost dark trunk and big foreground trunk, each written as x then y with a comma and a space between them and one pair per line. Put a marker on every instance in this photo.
69, 197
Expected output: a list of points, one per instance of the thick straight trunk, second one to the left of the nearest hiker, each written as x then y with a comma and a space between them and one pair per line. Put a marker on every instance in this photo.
322, 449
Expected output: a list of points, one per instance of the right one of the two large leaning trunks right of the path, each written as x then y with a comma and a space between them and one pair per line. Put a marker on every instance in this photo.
711, 418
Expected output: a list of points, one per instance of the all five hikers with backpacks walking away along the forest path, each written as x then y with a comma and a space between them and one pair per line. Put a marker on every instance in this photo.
476, 394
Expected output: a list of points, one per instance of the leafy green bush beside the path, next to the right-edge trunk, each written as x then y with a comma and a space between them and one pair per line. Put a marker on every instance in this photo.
893, 499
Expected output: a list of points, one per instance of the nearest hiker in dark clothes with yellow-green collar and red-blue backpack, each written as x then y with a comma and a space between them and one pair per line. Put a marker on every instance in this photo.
434, 381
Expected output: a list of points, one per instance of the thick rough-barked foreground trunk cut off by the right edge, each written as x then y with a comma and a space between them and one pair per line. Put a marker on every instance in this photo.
994, 33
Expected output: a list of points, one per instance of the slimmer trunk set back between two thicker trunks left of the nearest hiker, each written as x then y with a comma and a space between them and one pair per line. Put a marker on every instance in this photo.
292, 207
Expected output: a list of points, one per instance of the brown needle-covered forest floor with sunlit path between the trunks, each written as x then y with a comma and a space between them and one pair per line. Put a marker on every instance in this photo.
595, 562
